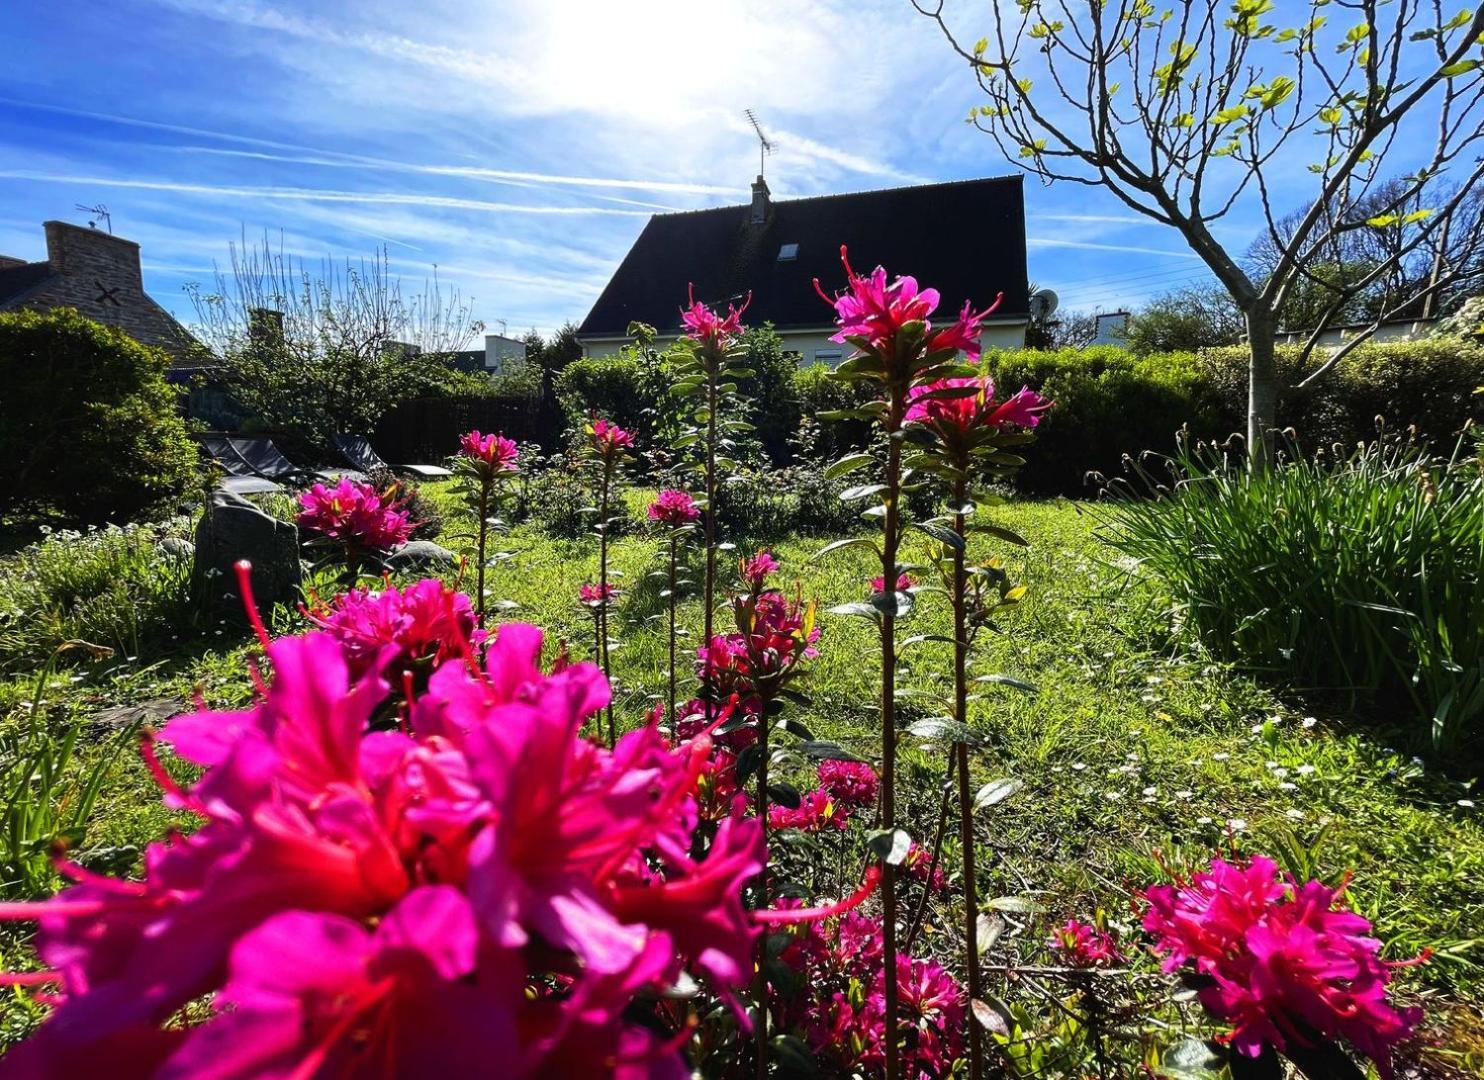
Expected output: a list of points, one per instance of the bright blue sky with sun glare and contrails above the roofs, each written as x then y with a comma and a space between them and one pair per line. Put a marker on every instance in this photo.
517, 148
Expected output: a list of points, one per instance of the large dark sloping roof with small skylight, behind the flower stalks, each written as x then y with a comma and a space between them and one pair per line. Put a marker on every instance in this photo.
965, 240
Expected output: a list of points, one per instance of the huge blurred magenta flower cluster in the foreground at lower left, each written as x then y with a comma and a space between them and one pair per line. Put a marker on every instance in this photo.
404, 903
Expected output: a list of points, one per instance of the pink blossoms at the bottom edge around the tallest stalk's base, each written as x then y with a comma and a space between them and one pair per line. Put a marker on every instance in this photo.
839, 1004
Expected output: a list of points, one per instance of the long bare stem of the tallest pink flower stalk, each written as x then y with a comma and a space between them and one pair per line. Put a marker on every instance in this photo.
890, 545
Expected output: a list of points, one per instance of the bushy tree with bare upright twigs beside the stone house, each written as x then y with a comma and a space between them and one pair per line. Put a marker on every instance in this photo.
318, 352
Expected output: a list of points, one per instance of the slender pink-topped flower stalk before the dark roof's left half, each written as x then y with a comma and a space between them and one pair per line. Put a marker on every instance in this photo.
706, 364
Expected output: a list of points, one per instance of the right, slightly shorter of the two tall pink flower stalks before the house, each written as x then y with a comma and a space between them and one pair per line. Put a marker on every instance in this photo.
961, 435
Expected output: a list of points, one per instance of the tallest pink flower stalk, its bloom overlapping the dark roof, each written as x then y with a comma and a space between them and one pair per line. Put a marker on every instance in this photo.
897, 349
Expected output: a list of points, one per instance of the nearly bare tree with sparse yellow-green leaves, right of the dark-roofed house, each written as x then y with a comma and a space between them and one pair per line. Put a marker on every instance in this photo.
1194, 111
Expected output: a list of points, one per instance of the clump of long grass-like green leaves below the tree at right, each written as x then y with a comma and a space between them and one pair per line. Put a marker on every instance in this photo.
1360, 576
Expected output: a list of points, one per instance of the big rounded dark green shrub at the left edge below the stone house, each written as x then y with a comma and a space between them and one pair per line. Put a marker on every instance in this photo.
90, 431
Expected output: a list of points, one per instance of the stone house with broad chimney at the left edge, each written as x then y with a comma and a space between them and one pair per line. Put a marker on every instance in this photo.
97, 274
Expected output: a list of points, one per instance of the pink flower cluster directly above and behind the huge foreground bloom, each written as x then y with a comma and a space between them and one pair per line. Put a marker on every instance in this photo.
425, 622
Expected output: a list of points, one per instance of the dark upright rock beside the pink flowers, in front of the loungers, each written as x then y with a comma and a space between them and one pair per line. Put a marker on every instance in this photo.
234, 529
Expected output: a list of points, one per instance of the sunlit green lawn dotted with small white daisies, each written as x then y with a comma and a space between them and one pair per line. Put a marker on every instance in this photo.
1126, 750
